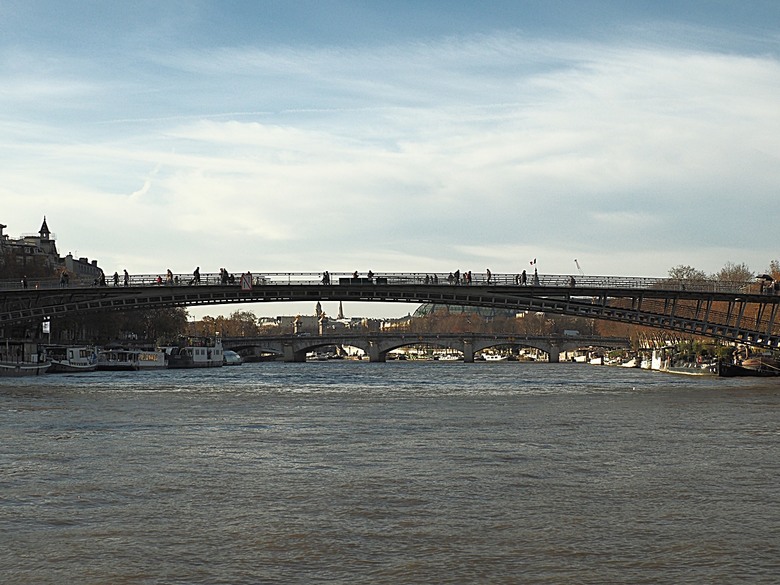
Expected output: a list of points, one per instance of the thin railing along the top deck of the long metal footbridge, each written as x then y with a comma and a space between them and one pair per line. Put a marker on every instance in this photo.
401, 279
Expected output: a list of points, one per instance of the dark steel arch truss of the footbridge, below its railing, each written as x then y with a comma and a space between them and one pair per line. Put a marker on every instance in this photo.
737, 316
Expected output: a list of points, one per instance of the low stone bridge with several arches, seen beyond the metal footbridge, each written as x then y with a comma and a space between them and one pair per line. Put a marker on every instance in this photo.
293, 348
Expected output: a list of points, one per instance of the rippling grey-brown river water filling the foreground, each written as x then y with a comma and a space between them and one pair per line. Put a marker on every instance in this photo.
350, 472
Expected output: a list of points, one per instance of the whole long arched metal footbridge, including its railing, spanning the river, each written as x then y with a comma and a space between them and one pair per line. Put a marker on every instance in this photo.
744, 312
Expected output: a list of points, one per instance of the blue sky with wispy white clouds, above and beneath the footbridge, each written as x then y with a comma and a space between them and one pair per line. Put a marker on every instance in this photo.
395, 136
